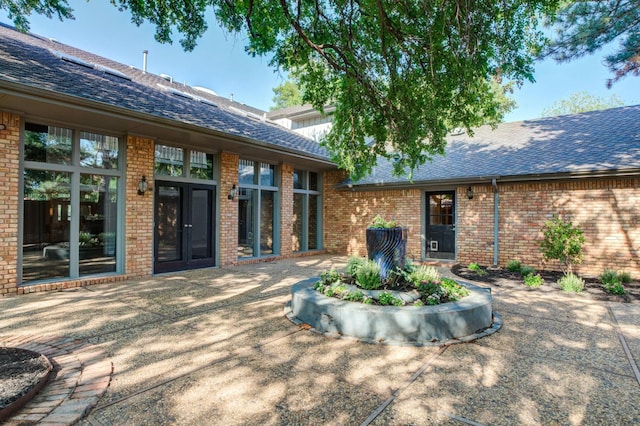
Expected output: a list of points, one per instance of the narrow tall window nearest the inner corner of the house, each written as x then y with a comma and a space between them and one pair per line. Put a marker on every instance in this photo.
307, 217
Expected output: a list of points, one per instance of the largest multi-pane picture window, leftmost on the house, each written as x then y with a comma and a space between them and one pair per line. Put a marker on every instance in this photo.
70, 203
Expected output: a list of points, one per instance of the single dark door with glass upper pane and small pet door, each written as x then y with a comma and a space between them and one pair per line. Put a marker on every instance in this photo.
441, 225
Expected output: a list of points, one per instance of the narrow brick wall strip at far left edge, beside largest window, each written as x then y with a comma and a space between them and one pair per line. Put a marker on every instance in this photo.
9, 166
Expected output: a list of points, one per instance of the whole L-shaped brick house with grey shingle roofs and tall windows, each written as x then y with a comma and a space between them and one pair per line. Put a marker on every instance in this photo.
111, 172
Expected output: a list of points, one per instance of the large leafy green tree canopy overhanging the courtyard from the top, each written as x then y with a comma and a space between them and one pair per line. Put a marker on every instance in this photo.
397, 71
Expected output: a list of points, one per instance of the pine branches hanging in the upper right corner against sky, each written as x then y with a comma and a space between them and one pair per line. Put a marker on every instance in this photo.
583, 27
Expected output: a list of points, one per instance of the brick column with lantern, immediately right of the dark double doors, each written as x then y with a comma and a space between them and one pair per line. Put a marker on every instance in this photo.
228, 209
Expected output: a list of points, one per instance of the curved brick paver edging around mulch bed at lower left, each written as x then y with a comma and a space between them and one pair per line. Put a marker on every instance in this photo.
81, 376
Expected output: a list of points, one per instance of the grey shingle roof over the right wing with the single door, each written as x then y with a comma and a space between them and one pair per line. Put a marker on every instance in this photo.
597, 141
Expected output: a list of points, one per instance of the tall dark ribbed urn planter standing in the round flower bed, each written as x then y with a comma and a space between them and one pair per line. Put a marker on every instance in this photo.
387, 247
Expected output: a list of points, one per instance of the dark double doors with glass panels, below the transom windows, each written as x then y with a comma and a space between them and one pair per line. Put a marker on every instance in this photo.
184, 226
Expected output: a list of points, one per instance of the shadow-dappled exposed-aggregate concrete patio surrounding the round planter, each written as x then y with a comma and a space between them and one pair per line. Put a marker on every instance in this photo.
213, 347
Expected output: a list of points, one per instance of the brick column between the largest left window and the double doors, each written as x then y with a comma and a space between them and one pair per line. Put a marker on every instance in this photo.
139, 211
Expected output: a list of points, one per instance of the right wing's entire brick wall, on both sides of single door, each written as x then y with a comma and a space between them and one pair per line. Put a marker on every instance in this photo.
605, 209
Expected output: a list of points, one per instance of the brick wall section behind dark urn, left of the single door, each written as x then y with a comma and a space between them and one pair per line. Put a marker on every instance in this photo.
347, 215
